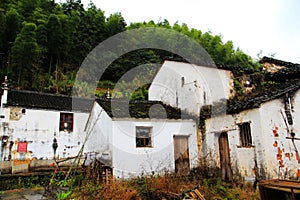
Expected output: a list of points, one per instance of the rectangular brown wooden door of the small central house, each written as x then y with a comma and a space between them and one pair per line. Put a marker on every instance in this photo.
181, 153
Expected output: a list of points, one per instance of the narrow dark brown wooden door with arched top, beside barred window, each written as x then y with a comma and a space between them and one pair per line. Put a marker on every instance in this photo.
226, 172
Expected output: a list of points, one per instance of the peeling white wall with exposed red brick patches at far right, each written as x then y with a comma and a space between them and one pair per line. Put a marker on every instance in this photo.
280, 154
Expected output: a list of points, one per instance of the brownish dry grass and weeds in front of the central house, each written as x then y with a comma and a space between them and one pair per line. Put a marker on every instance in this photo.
163, 187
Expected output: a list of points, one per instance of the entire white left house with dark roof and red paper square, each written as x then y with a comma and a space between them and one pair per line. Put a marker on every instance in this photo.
38, 127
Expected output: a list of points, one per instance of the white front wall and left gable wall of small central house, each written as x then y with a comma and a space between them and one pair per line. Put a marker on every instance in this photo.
115, 138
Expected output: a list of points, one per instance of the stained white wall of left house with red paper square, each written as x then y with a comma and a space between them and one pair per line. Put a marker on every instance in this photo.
38, 128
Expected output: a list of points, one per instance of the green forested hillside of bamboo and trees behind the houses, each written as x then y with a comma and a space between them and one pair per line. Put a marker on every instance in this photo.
43, 43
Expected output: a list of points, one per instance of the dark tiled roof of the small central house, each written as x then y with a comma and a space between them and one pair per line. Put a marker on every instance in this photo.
141, 109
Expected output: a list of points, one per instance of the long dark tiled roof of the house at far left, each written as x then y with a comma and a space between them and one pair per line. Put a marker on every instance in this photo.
36, 100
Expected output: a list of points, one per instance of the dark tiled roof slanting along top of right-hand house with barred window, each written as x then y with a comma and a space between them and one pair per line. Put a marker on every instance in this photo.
234, 106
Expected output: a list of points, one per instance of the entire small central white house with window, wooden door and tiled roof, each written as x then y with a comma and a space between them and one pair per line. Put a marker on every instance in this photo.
135, 138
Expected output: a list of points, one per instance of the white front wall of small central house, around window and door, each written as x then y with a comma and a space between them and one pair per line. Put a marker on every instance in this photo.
128, 160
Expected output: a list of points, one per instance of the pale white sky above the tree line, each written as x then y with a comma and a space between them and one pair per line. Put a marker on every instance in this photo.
270, 26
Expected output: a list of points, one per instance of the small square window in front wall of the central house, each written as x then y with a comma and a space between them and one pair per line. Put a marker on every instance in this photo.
143, 136
